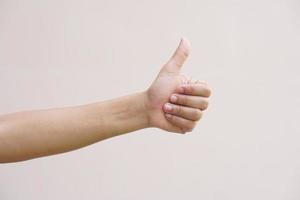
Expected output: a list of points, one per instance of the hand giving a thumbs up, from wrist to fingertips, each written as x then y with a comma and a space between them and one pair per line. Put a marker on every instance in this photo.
174, 103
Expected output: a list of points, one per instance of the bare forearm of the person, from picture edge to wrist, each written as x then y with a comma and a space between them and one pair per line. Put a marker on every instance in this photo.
31, 134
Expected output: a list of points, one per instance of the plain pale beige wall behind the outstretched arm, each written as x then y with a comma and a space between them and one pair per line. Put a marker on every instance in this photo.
67, 52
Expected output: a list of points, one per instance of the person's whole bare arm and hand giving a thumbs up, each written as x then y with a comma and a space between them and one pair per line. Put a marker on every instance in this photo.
31, 134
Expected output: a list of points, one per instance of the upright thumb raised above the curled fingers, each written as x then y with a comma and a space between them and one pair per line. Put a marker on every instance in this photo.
178, 58
